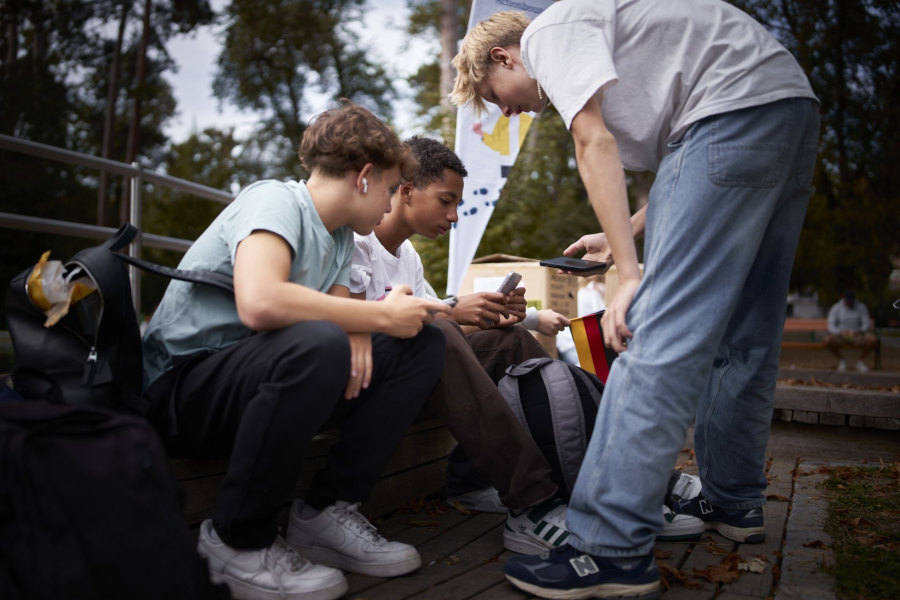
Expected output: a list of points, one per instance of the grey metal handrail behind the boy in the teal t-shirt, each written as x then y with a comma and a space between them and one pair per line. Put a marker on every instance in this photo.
135, 176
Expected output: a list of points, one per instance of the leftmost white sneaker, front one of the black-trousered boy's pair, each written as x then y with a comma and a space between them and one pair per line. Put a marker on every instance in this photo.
276, 572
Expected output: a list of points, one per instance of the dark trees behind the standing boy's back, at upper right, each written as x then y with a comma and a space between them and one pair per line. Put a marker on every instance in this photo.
849, 51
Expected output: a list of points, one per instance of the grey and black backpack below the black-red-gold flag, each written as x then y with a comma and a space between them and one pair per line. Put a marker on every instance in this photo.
557, 402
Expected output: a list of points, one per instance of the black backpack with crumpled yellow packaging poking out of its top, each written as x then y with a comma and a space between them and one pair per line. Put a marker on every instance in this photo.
93, 354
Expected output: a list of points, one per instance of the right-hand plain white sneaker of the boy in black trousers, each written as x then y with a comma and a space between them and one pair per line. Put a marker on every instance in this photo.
341, 537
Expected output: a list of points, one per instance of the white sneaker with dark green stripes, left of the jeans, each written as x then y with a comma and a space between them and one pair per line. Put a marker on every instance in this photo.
537, 529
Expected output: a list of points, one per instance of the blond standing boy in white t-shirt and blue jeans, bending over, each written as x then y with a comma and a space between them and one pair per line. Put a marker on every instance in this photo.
701, 94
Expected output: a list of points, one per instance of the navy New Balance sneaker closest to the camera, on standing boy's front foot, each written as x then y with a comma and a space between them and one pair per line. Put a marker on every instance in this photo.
570, 574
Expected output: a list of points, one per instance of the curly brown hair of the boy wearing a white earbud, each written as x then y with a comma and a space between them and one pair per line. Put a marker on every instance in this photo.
347, 137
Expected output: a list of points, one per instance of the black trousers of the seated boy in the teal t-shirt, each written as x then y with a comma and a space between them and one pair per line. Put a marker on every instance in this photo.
262, 400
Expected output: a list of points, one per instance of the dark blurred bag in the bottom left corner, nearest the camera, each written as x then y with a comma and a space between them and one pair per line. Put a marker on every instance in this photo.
89, 509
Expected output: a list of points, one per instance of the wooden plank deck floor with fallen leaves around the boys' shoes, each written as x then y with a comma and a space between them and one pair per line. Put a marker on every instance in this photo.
463, 555
